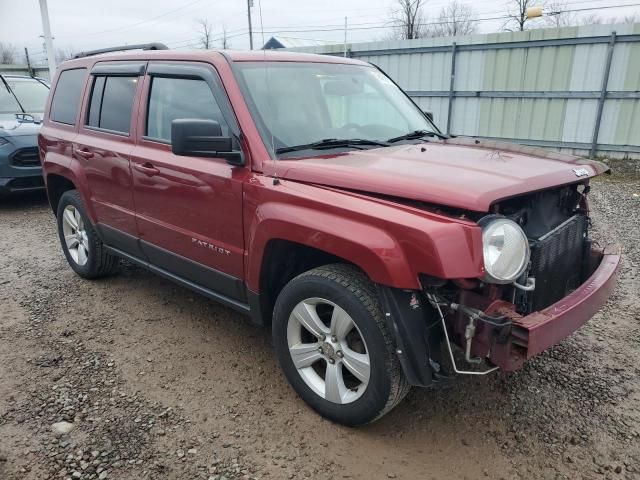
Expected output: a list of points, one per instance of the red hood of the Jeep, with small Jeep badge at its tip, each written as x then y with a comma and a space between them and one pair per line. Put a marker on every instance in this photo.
459, 172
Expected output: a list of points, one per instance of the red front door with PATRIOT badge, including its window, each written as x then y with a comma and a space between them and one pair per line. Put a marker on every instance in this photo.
188, 209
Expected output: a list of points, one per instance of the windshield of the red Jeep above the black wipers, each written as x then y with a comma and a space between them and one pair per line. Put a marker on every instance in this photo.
302, 103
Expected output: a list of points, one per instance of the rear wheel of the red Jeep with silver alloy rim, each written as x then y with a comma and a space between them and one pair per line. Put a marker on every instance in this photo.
82, 247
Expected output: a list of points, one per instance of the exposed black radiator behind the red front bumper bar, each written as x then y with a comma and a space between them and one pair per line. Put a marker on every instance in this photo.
556, 262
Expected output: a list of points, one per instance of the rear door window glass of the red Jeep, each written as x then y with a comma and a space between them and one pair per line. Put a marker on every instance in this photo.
111, 103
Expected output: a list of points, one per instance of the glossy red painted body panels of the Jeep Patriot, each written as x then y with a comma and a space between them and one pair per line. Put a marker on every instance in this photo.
178, 203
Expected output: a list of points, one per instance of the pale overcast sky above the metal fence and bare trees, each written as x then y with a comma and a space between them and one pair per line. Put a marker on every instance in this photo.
84, 24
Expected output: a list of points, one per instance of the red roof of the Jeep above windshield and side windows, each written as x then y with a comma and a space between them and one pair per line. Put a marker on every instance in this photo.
203, 55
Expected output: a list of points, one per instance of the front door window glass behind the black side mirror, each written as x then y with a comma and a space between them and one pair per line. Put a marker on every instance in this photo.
173, 98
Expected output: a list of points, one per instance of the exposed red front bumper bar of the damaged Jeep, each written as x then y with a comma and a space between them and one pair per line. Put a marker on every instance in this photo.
509, 347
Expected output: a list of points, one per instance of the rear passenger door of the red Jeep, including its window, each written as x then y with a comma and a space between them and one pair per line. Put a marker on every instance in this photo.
104, 145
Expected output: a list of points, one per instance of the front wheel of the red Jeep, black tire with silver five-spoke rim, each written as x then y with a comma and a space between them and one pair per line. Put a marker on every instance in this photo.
334, 348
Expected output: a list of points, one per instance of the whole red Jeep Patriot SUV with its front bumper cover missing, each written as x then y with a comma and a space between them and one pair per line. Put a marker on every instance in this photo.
311, 193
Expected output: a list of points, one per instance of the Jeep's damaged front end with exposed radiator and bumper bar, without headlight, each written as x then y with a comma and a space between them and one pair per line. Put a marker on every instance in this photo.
565, 281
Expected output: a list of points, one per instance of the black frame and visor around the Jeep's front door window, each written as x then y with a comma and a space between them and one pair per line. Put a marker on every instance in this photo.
193, 71
